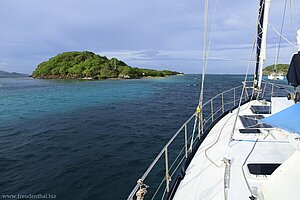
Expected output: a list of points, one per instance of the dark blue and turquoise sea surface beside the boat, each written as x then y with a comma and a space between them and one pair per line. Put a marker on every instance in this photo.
91, 139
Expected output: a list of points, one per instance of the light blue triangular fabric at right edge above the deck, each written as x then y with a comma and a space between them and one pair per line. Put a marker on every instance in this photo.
287, 119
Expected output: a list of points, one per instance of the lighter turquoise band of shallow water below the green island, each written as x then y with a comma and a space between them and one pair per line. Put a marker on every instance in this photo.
28, 98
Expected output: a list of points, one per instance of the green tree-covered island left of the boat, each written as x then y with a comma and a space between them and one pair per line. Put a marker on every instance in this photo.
88, 65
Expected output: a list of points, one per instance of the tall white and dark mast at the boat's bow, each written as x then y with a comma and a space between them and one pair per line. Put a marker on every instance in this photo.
262, 27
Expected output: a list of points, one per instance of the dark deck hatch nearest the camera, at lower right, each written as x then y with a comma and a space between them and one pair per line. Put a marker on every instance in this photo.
262, 168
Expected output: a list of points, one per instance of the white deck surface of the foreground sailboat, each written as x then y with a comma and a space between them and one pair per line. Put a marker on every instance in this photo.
204, 179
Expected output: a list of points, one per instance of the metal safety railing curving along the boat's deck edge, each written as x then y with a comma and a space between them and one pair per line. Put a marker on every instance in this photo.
167, 162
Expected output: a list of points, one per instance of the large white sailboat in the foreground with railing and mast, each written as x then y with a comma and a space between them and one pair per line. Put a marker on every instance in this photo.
244, 143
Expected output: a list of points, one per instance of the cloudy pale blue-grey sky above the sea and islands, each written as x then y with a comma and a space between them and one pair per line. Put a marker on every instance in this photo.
158, 34
